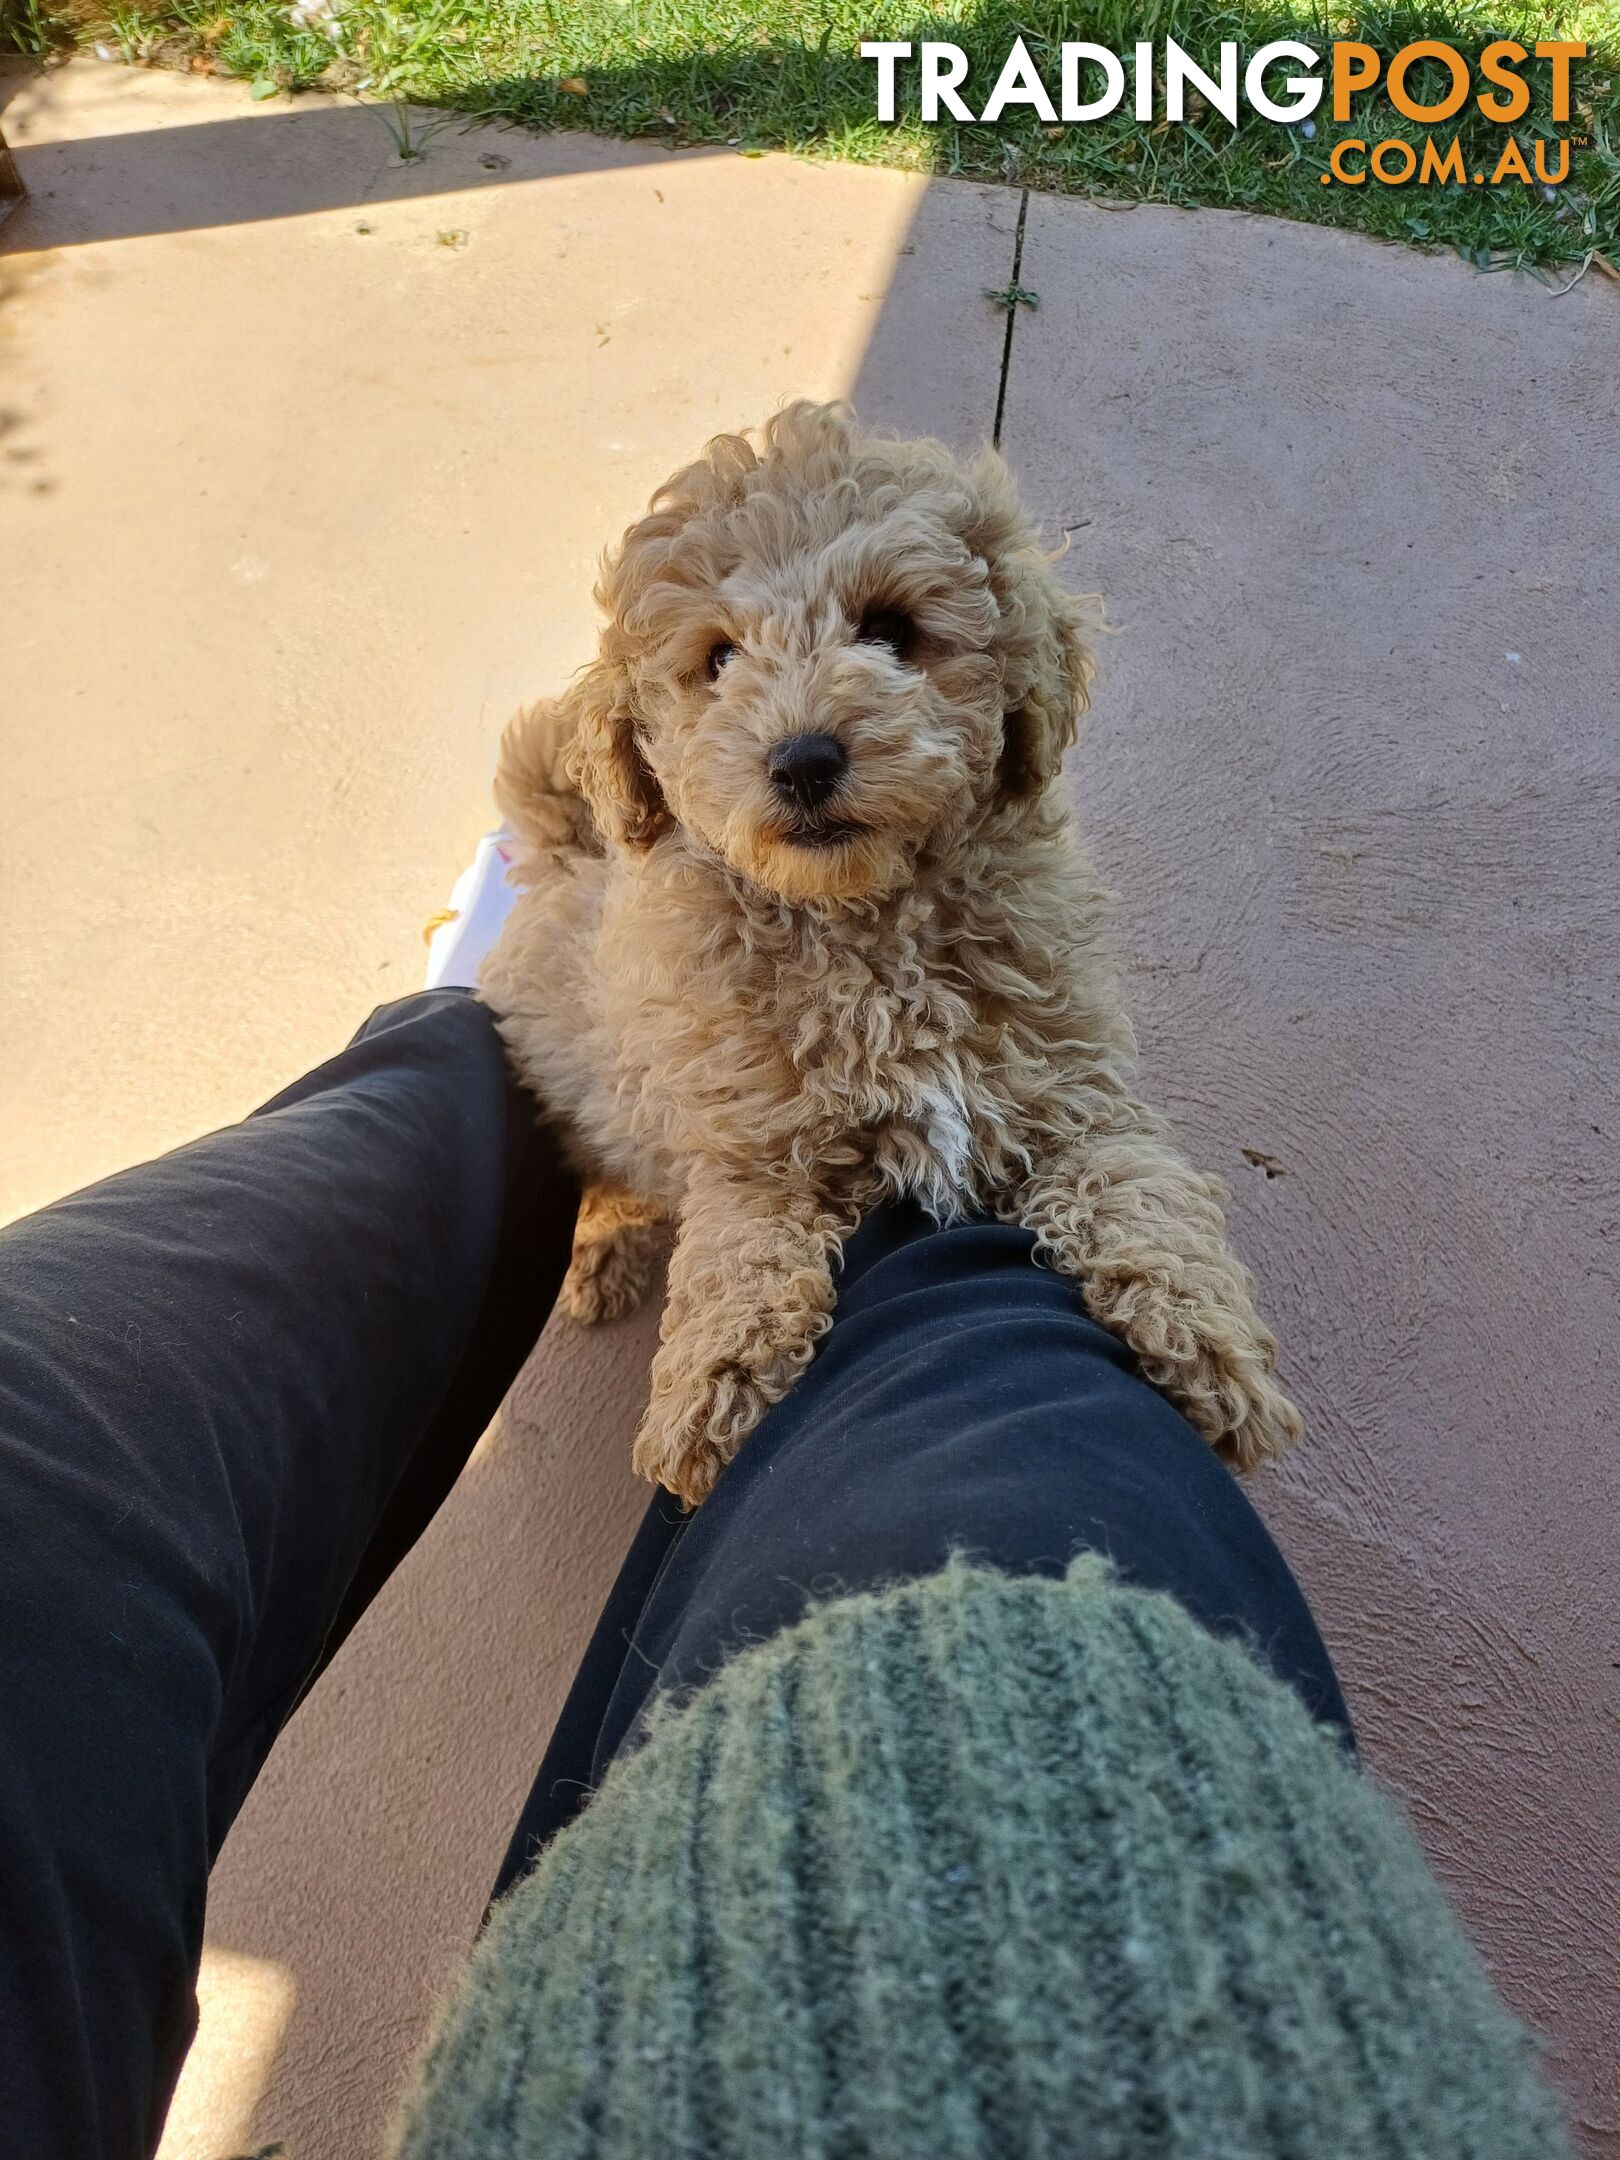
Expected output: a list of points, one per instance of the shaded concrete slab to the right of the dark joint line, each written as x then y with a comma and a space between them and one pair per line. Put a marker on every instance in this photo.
1355, 772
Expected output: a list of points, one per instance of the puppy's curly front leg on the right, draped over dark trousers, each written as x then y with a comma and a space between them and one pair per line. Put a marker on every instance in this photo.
1146, 1239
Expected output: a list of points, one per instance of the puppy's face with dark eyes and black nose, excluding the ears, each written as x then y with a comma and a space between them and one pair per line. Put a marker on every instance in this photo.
818, 690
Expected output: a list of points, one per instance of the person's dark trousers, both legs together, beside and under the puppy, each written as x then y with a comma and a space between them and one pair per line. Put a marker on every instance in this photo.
234, 1388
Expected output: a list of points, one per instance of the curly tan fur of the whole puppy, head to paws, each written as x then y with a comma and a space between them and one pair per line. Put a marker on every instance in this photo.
764, 1029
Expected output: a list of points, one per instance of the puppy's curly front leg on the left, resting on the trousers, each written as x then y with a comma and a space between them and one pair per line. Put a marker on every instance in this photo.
751, 1297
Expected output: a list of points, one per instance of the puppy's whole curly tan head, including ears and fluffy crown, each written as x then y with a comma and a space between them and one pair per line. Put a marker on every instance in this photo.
826, 658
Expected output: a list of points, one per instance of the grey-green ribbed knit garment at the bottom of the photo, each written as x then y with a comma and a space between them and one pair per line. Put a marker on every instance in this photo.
975, 1869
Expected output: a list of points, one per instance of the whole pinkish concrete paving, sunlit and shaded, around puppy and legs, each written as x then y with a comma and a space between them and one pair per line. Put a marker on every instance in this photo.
306, 463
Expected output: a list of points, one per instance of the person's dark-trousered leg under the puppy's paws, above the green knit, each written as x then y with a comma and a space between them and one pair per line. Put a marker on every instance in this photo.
962, 1403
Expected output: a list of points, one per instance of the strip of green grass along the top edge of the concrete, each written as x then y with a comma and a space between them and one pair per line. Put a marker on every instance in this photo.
785, 75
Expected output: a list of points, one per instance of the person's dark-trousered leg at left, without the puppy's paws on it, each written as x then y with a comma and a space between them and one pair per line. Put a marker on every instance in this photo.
234, 1386
